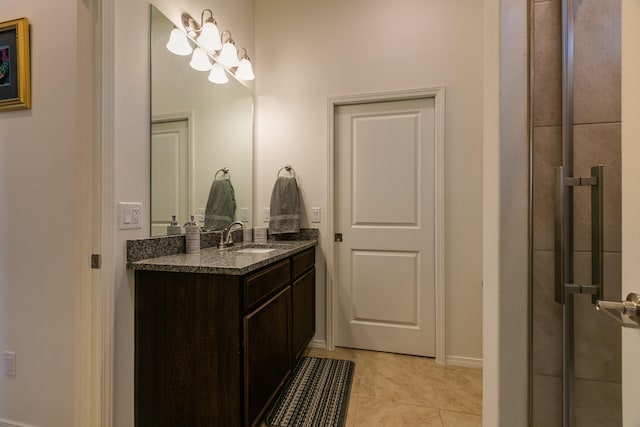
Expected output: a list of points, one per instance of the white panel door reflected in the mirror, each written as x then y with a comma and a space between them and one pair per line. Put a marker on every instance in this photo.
169, 174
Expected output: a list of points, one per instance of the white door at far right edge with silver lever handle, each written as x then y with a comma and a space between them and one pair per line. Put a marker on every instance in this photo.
630, 203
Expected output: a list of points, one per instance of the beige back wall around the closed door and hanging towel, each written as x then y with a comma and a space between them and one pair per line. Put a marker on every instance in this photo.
308, 51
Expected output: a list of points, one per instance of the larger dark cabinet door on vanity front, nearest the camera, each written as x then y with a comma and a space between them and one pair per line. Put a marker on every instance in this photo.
267, 353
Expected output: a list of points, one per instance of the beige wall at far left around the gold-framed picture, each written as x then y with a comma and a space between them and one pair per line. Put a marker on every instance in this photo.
44, 159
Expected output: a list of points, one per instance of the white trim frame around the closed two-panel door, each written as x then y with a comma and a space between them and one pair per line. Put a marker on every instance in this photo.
438, 95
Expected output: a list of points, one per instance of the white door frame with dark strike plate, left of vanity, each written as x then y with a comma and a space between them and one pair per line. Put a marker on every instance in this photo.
94, 391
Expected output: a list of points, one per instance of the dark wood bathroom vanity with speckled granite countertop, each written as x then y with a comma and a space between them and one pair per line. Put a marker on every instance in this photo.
217, 334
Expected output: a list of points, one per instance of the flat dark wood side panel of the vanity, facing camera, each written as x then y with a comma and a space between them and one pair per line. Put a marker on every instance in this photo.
187, 350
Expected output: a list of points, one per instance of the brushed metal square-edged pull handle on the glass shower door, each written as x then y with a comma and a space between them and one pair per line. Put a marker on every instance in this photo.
562, 243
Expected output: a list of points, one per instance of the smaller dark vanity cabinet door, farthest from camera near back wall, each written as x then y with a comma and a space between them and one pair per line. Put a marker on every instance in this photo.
303, 293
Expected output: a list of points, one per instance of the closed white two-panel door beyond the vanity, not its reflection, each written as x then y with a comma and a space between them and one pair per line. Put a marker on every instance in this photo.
385, 211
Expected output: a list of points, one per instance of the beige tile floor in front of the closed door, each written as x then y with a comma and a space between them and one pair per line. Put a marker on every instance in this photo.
398, 390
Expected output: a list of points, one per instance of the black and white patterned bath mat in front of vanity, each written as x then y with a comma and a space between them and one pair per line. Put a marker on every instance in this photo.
316, 395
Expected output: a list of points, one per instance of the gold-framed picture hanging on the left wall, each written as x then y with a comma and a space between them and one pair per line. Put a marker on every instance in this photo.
15, 65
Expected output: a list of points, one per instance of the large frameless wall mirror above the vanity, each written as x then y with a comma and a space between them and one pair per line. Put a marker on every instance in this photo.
198, 130
